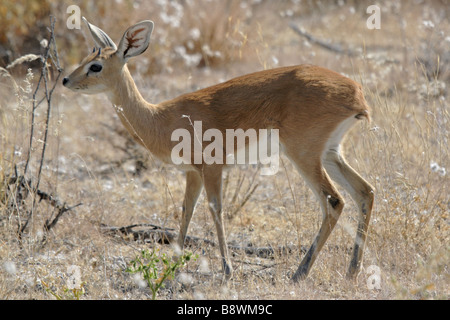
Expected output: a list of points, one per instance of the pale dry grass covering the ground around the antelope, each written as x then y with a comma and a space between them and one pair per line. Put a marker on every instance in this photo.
404, 153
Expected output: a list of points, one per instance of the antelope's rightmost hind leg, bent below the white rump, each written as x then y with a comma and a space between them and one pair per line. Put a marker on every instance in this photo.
363, 195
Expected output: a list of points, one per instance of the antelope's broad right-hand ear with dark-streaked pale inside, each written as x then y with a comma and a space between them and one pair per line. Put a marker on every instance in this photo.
135, 40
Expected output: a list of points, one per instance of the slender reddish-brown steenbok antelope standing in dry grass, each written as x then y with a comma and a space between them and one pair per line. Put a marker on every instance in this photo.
311, 107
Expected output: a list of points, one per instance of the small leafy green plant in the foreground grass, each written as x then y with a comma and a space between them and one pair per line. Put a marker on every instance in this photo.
156, 269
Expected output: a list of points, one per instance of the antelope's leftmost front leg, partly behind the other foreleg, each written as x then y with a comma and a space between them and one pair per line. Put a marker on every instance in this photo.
194, 185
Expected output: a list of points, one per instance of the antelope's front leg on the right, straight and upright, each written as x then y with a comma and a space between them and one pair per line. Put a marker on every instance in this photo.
212, 177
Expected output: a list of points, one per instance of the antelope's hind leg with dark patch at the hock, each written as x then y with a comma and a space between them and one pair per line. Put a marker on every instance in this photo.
331, 203
